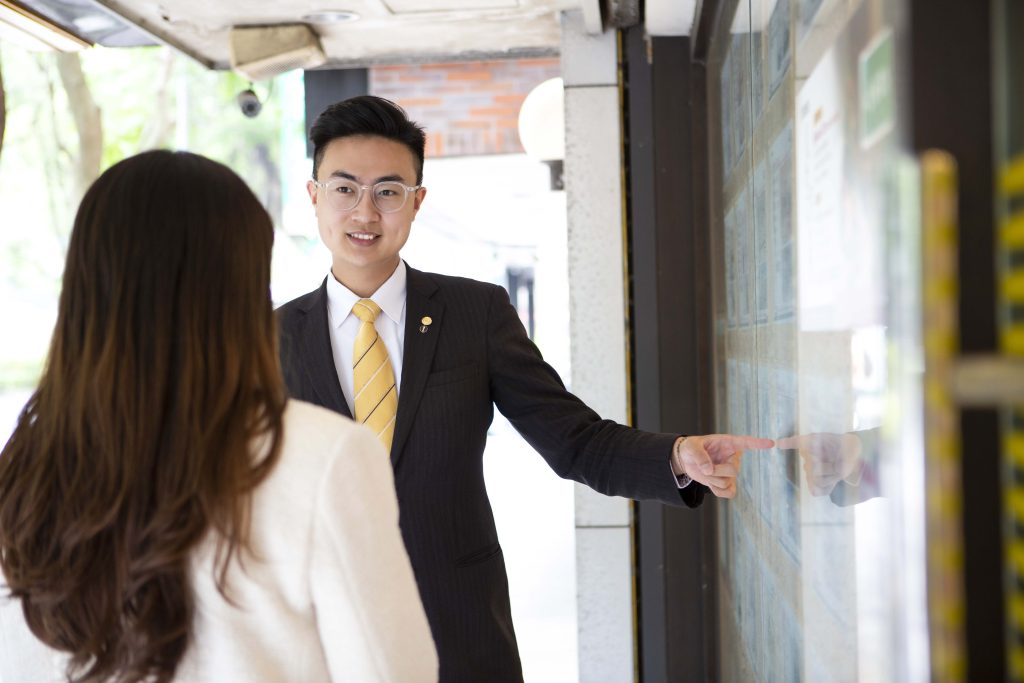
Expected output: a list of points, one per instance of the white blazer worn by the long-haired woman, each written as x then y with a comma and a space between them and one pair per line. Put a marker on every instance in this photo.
328, 594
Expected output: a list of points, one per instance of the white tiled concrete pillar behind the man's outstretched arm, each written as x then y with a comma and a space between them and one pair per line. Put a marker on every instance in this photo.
599, 333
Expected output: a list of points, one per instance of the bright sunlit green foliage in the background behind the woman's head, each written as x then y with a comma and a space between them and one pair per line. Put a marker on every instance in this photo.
149, 98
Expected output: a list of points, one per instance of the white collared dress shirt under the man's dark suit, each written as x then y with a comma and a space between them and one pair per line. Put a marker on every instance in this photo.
345, 325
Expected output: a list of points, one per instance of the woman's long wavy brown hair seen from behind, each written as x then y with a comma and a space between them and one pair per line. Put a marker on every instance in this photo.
158, 413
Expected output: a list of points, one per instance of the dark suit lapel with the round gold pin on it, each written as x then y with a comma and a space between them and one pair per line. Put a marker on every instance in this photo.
418, 354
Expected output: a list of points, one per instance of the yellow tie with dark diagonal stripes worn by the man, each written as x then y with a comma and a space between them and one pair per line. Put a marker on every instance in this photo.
373, 379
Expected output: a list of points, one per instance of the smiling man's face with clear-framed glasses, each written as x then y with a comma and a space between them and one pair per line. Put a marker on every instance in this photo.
364, 241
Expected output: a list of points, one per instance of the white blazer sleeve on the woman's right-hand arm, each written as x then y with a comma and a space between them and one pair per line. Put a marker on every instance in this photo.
369, 614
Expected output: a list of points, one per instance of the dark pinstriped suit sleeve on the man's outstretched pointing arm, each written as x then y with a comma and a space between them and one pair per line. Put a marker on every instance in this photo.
608, 457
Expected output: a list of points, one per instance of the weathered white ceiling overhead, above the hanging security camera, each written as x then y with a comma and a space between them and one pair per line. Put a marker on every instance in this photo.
388, 31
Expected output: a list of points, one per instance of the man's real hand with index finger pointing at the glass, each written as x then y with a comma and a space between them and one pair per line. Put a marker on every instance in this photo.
714, 460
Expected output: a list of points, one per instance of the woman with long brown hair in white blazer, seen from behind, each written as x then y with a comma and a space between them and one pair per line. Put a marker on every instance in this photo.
166, 514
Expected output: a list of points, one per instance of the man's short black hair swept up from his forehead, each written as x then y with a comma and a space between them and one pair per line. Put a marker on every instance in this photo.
367, 115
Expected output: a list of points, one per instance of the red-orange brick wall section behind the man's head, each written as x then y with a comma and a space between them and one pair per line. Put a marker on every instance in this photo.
467, 108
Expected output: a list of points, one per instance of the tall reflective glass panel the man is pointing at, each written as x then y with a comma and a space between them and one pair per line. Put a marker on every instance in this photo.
816, 245
